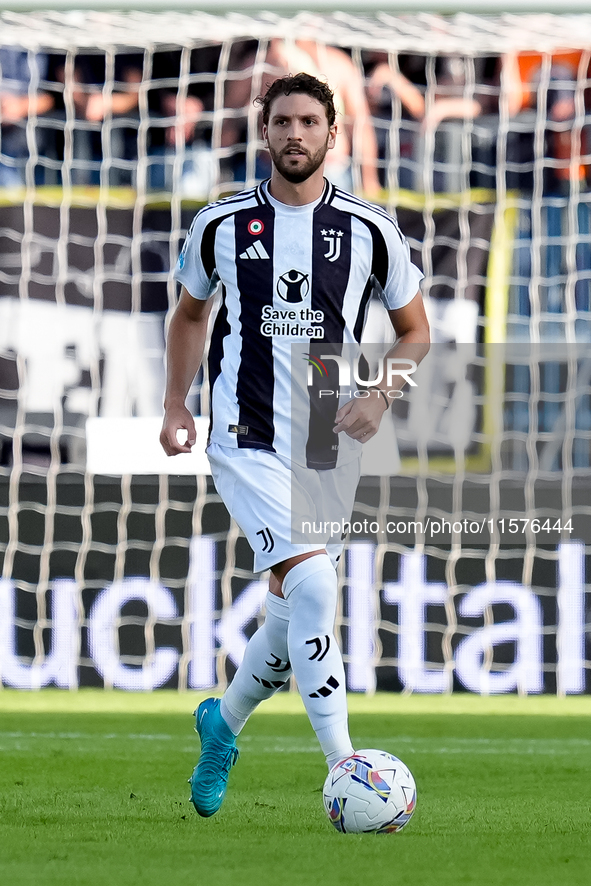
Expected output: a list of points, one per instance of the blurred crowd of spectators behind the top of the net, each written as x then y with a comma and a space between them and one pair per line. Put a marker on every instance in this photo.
184, 120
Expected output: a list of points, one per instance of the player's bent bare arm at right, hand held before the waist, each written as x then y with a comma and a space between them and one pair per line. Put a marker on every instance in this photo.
360, 418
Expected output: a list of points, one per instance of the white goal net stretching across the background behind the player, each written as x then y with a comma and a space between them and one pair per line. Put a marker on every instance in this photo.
467, 570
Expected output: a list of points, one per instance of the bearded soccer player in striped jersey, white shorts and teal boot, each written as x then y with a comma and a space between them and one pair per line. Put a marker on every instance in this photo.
294, 247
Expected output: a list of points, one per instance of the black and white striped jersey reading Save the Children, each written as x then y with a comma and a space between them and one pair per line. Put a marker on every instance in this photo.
288, 274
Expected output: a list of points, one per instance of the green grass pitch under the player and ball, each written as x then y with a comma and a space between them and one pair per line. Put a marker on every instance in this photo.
93, 792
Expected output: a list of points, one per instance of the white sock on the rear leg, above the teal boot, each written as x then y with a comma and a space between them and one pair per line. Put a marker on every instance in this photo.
264, 669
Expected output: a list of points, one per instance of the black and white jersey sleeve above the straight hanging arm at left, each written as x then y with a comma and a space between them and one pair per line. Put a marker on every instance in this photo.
195, 268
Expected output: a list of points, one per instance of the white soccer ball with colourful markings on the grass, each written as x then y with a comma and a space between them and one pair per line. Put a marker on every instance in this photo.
370, 791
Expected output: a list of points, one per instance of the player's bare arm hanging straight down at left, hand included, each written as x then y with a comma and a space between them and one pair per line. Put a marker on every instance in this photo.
186, 338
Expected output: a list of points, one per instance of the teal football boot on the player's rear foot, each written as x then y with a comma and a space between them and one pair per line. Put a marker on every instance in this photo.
218, 754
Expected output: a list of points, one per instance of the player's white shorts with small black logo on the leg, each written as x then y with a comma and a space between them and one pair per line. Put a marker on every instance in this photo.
269, 498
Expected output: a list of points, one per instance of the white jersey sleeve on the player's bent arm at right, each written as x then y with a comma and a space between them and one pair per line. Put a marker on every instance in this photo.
398, 280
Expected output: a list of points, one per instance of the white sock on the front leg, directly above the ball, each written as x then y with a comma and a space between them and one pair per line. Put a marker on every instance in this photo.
311, 592
